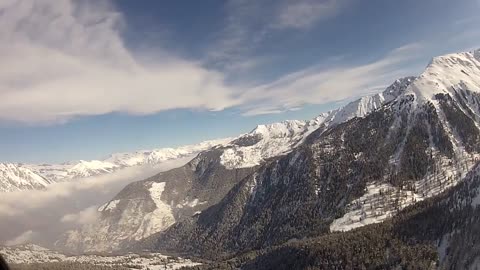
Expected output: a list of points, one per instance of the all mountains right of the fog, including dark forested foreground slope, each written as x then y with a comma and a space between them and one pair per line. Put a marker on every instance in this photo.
389, 181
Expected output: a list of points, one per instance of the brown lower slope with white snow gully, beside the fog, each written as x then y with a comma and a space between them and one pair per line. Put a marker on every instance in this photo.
152, 205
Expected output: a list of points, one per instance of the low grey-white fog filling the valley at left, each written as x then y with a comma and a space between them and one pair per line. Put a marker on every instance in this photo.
42, 216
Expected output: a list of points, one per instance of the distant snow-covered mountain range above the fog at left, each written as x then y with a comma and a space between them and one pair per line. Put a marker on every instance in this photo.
20, 176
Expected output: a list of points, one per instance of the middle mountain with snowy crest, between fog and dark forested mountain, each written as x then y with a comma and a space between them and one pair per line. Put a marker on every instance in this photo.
151, 206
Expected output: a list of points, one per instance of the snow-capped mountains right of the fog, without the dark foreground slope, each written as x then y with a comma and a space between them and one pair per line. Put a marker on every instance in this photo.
350, 167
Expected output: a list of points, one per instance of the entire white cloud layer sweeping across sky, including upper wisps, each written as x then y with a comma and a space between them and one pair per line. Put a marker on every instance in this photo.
63, 59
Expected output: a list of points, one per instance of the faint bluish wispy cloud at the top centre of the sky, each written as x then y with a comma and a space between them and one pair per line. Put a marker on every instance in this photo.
248, 23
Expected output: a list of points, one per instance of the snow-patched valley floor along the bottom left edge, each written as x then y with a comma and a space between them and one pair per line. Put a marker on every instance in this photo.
36, 254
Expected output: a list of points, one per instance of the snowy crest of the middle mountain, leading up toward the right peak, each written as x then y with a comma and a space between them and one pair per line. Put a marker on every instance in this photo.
267, 141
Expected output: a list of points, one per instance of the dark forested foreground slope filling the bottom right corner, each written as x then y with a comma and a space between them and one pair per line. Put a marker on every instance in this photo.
439, 233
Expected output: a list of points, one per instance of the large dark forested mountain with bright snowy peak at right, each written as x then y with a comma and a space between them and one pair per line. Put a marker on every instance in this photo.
351, 174
